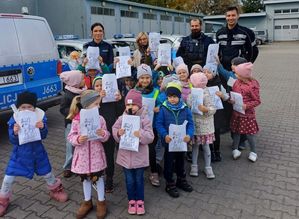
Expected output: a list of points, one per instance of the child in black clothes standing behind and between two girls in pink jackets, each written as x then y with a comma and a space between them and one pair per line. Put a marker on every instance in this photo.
110, 111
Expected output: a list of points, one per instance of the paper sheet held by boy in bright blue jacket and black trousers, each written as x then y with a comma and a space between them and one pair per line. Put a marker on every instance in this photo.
177, 134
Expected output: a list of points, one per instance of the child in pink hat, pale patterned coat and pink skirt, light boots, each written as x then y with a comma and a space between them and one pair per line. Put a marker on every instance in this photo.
204, 126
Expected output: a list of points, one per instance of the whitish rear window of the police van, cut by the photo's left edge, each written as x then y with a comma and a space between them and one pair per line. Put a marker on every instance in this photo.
9, 50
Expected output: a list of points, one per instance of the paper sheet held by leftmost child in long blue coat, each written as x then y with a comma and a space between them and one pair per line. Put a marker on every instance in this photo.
28, 132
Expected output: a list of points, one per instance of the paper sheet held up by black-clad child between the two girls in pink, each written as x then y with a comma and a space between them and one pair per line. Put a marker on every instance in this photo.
109, 84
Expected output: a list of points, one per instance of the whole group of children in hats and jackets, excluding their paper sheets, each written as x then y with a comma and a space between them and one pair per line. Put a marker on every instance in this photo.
94, 159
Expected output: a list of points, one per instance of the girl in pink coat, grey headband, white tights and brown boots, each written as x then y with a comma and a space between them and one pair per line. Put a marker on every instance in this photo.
89, 157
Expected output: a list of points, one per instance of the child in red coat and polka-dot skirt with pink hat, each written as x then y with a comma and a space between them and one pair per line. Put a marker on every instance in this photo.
249, 88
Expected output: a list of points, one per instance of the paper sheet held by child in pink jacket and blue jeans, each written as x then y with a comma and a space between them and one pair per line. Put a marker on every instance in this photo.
128, 141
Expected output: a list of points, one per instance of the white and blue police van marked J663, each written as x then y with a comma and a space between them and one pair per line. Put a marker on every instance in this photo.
29, 60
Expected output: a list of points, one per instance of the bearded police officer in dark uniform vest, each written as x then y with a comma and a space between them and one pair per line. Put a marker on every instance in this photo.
193, 48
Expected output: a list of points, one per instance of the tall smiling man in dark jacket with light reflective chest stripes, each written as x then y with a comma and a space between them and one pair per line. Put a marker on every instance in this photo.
235, 40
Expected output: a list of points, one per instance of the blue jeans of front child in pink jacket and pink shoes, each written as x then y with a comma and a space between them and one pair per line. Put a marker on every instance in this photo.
135, 183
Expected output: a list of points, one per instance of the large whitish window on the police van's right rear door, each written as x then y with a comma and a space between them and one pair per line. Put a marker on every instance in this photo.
35, 39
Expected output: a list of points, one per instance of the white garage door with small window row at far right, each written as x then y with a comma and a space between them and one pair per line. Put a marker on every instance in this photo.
286, 30
